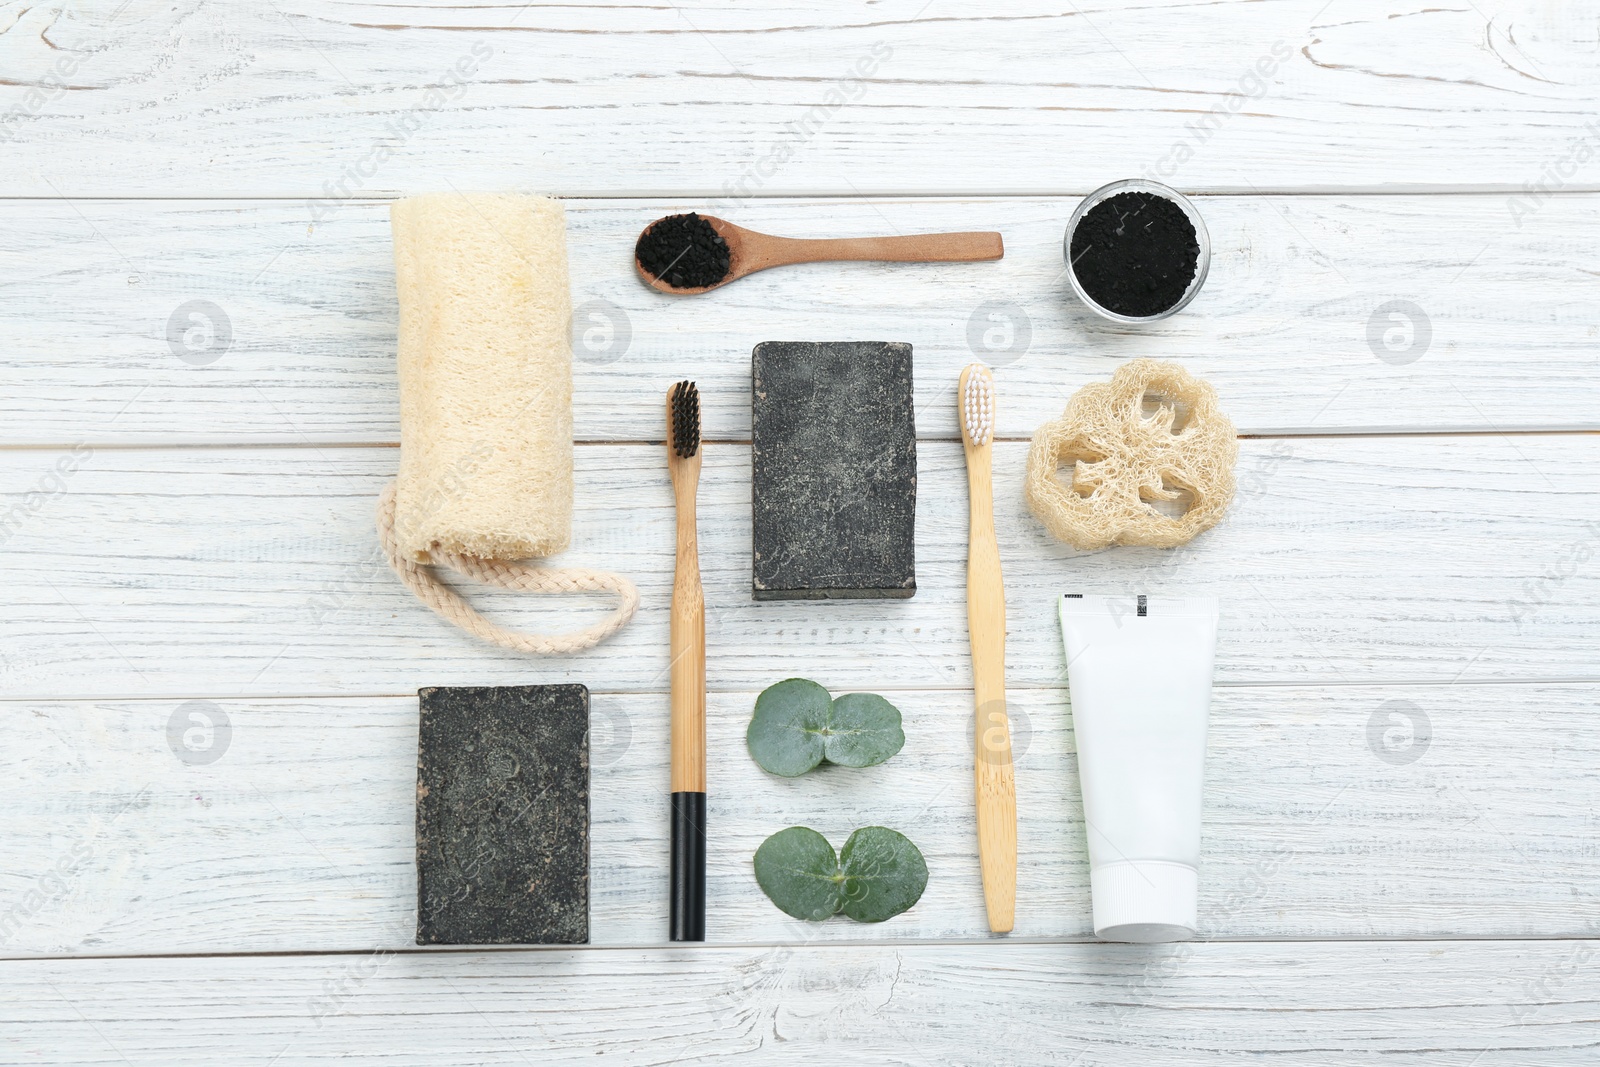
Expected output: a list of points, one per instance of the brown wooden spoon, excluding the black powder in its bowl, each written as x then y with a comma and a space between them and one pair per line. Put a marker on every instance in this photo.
751, 252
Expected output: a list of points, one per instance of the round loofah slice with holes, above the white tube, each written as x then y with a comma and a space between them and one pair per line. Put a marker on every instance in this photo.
1151, 436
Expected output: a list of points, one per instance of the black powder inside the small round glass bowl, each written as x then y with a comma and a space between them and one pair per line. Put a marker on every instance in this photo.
1135, 254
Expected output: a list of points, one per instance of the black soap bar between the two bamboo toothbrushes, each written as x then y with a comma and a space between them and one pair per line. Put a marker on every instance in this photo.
834, 468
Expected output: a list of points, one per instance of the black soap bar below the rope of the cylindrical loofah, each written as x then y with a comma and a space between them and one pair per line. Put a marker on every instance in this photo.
503, 817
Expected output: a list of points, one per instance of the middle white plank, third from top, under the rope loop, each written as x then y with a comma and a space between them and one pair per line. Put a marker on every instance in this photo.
257, 573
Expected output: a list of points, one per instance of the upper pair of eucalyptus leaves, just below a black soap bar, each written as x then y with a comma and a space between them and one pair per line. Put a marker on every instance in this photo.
798, 725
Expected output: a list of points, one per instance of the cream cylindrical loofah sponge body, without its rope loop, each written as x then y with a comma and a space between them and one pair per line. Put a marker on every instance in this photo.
486, 377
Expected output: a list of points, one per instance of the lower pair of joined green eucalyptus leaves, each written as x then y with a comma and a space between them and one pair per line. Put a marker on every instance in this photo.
878, 876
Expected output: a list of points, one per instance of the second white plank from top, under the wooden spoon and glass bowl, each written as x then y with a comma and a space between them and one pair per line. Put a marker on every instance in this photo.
1292, 326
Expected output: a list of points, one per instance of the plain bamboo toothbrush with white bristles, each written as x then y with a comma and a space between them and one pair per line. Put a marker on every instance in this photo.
996, 788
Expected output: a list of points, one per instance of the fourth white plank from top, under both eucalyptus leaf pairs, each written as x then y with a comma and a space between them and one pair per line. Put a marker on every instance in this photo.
290, 828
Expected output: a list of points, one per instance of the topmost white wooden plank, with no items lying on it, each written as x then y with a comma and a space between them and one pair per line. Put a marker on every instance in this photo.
617, 100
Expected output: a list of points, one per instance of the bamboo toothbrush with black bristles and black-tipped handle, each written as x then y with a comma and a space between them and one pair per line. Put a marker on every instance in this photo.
689, 676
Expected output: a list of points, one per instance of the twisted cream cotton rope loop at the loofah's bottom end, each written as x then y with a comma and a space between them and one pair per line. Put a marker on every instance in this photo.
508, 575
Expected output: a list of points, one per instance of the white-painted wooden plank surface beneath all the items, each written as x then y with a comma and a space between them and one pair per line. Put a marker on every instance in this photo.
1402, 826
